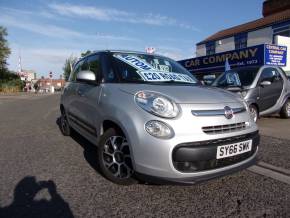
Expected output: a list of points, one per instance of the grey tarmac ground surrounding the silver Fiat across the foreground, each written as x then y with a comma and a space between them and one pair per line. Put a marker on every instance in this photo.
44, 174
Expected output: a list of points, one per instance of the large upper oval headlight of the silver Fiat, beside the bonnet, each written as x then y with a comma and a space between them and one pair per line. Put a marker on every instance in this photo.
156, 104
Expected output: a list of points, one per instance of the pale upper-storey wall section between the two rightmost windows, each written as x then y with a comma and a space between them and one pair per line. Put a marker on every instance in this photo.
260, 36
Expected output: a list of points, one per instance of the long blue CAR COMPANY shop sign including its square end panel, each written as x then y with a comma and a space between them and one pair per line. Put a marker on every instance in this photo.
251, 56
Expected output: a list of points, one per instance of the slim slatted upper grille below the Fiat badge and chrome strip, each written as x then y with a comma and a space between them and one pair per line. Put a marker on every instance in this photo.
220, 129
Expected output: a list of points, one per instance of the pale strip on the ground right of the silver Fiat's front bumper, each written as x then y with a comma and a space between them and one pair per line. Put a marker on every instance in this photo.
270, 173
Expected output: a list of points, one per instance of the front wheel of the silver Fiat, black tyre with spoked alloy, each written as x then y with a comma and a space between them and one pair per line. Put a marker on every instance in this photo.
114, 158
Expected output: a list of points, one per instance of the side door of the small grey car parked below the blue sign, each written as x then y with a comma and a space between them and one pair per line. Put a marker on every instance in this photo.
269, 94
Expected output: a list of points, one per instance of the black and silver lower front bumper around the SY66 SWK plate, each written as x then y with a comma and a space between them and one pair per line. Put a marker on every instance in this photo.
203, 163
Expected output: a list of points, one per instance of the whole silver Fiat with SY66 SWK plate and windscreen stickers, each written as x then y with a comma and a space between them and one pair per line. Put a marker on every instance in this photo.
152, 120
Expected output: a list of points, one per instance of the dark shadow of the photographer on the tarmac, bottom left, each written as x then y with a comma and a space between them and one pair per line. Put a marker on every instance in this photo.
26, 202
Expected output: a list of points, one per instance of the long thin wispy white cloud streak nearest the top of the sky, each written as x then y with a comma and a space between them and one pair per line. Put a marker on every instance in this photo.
111, 14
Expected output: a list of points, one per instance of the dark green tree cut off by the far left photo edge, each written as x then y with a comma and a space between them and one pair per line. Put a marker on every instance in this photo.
4, 53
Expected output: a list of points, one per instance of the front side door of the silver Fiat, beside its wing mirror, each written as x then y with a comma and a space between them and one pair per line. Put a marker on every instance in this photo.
89, 93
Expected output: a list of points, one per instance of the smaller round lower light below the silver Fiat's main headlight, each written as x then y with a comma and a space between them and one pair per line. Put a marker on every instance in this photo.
159, 129
